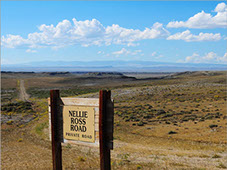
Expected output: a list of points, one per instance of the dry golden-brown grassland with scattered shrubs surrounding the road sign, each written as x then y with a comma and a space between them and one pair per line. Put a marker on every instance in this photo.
177, 122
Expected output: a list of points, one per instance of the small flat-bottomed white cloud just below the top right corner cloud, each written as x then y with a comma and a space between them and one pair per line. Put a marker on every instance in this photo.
188, 36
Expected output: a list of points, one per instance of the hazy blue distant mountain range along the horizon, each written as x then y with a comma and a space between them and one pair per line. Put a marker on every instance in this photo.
119, 66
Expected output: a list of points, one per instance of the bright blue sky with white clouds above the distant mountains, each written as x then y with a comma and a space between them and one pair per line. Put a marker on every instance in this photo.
177, 31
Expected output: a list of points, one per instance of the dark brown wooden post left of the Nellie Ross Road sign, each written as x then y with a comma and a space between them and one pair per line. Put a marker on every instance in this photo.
56, 142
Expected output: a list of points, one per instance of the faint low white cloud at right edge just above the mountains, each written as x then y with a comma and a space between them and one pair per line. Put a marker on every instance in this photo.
210, 57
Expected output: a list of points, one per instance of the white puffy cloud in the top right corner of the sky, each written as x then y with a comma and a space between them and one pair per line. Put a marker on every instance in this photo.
204, 20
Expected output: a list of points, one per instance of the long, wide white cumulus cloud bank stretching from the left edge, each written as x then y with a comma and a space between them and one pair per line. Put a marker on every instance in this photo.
84, 33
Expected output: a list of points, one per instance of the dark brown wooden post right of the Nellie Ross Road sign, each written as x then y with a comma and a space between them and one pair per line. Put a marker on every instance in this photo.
105, 131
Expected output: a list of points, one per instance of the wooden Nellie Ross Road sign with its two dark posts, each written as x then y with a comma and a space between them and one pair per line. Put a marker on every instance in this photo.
82, 121
